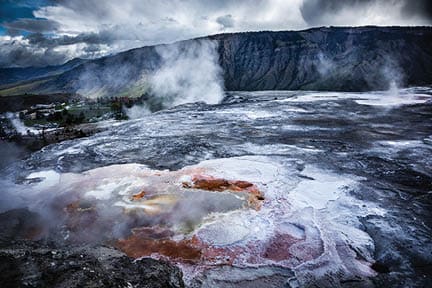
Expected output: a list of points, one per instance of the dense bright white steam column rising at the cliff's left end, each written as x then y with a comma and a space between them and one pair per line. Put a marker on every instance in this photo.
189, 72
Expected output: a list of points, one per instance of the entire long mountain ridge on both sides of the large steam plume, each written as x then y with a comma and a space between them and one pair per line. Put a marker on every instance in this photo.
326, 58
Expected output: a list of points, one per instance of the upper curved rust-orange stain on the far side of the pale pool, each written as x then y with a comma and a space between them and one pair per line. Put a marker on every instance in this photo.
211, 183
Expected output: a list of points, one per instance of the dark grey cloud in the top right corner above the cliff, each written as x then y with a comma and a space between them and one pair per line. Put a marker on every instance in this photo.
320, 12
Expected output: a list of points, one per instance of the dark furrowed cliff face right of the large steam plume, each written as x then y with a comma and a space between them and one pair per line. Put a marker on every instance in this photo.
347, 59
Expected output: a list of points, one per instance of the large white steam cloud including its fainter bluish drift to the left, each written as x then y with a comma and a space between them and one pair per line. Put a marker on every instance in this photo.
187, 72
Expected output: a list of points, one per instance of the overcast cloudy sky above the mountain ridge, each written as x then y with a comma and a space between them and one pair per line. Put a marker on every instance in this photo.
48, 32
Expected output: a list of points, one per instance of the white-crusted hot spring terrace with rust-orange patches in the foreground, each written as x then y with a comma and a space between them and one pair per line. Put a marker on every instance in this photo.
235, 212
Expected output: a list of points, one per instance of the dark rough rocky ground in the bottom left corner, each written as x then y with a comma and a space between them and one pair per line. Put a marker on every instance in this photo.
25, 263
